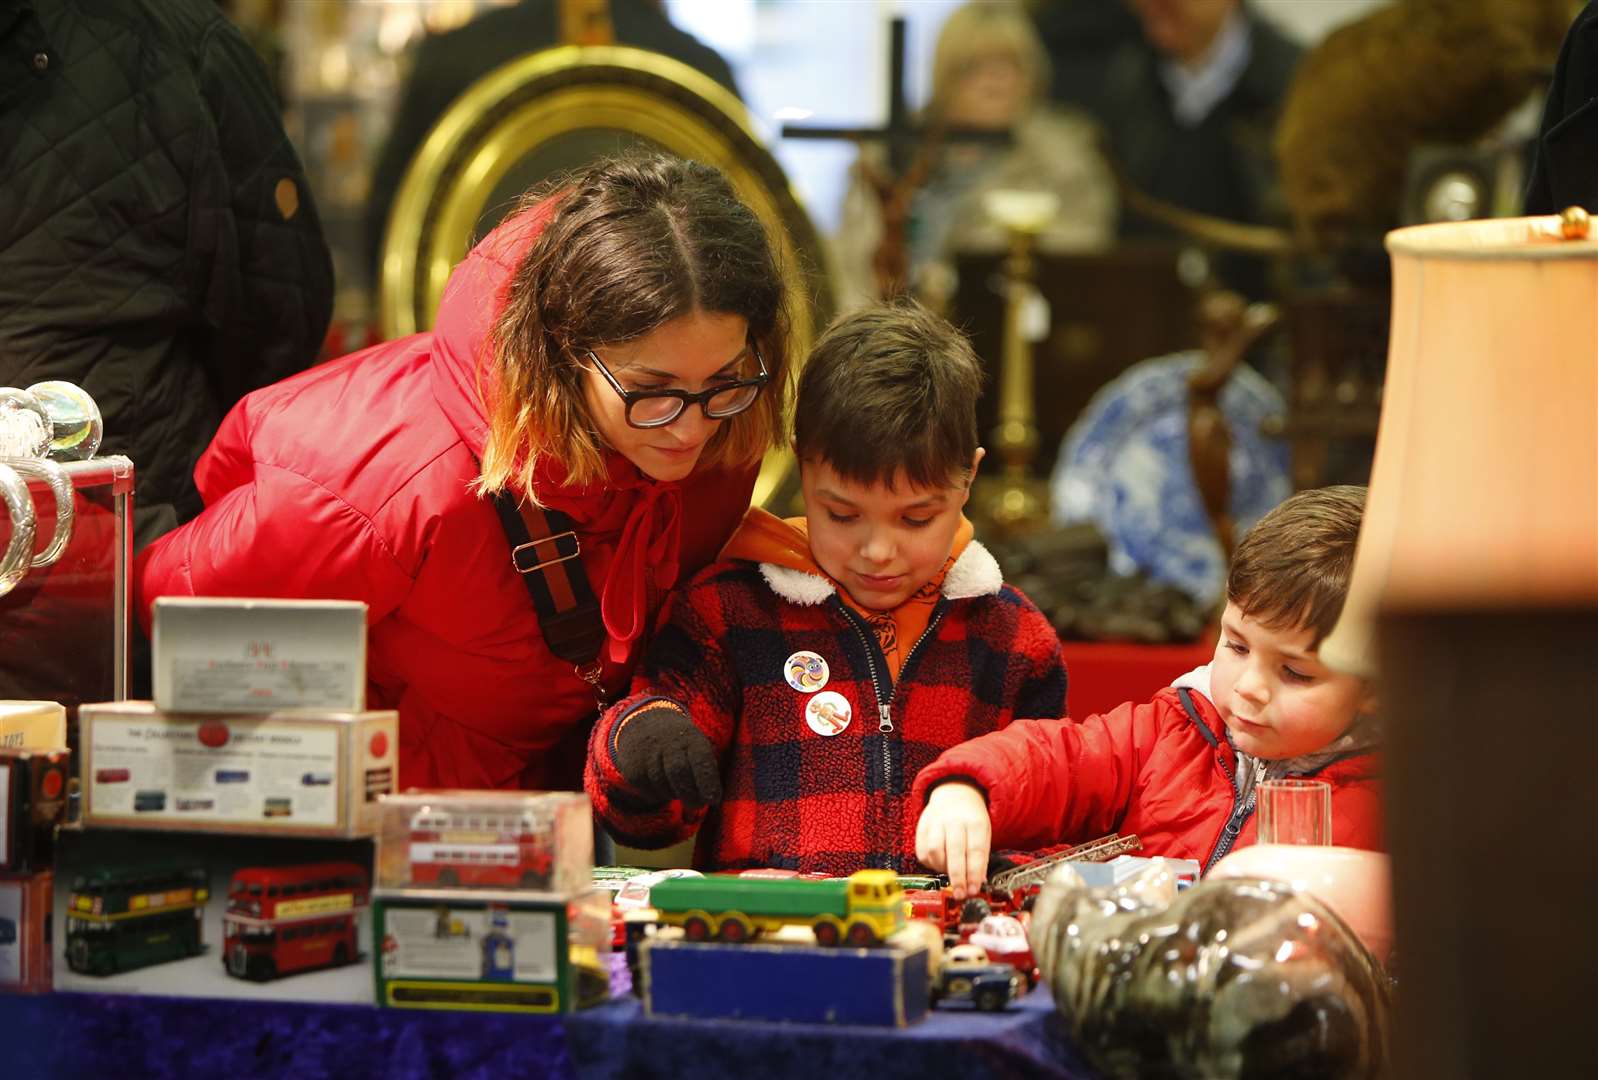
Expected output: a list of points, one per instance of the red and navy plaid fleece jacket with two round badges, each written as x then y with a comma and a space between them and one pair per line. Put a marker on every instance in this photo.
793, 798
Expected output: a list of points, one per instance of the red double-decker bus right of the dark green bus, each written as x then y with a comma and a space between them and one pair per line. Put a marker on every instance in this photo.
287, 919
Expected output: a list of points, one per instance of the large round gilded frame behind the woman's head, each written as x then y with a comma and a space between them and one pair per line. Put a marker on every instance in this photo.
555, 111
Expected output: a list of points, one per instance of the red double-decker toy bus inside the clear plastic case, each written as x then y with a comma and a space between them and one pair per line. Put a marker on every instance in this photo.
483, 848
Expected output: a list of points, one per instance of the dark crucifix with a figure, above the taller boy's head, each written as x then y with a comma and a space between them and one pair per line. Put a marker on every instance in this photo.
912, 156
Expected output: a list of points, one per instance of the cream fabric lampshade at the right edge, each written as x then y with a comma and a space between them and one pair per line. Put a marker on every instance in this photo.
1485, 485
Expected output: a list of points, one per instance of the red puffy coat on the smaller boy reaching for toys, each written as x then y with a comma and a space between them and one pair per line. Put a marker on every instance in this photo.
1155, 769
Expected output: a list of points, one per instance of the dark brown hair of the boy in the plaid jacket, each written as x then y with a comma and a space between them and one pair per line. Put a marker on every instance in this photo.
891, 387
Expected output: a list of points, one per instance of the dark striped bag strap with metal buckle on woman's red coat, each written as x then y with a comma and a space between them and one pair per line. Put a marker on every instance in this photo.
544, 552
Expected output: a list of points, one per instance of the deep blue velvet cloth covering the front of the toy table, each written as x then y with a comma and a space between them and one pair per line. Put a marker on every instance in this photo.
157, 1038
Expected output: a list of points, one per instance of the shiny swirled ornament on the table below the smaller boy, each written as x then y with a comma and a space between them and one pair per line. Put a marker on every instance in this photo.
1230, 979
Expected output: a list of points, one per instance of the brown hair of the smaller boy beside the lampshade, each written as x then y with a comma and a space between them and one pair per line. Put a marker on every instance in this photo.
1294, 566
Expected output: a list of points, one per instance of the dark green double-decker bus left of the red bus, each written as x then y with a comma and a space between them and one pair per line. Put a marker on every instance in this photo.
124, 919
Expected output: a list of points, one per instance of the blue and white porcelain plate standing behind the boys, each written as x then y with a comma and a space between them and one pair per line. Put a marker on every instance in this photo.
1124, 467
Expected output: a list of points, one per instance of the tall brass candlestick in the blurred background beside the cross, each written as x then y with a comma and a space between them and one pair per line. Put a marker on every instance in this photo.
1019, 504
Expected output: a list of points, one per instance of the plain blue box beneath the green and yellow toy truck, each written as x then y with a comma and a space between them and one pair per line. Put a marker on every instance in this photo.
884, 987
